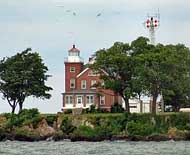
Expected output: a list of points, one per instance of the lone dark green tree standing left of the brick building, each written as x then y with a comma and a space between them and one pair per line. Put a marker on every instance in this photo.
23, 75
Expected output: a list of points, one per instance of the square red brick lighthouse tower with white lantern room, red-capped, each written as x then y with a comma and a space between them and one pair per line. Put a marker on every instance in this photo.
73, 66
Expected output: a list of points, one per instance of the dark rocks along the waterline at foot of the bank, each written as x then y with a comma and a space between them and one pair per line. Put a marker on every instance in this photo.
55, 137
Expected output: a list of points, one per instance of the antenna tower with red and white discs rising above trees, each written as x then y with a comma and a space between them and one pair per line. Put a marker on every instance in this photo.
152, 23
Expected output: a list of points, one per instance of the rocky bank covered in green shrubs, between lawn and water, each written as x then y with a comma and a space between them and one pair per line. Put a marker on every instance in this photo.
30, 125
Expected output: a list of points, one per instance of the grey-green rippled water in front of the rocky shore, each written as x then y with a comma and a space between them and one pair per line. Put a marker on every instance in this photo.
95, 148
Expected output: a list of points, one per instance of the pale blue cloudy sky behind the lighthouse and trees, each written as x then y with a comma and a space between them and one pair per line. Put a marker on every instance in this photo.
51, 27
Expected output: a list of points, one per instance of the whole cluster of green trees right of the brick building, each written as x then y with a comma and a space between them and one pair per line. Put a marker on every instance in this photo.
142, 68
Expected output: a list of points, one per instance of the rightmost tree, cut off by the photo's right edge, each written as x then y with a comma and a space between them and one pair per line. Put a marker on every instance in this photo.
177, 91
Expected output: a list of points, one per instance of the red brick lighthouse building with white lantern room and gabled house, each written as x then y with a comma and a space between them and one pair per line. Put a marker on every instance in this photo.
80, 81
